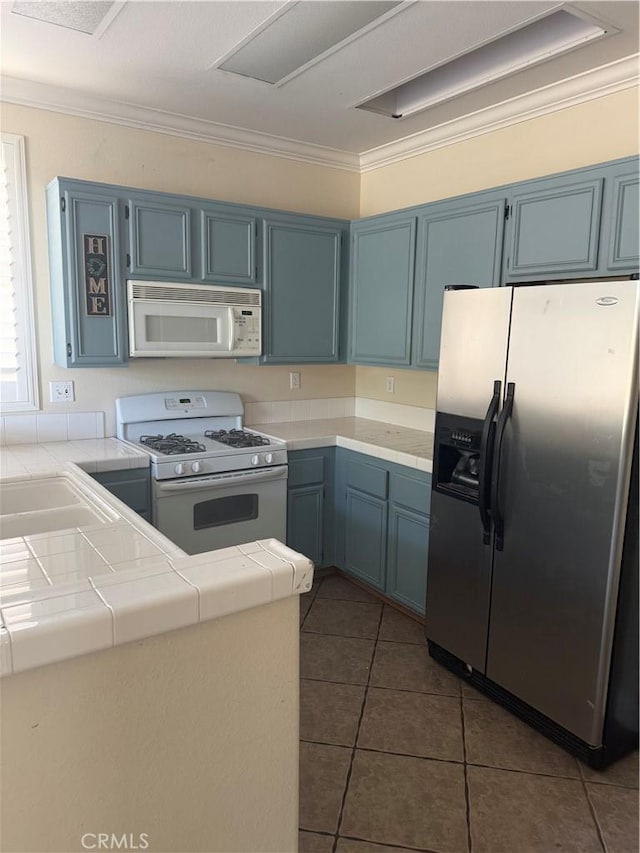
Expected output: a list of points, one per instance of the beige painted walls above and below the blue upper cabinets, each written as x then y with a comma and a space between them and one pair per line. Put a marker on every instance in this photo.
603, 129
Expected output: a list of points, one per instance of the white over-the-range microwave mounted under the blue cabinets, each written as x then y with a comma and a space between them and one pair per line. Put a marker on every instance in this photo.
169, 320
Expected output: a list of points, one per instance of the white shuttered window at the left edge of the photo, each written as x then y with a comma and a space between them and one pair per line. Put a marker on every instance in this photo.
18, 391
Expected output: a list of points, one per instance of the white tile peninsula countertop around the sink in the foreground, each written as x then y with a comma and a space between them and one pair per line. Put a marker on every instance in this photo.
82, 589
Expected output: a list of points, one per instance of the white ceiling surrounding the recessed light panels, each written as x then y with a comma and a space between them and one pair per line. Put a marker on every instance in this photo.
154, 64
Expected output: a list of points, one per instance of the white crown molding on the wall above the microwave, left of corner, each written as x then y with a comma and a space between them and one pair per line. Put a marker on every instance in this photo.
43, 96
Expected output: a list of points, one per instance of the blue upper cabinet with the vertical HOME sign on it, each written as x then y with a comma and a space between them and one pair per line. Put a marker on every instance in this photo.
86, 275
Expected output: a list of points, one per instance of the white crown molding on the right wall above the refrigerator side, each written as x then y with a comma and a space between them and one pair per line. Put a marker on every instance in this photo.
614, 77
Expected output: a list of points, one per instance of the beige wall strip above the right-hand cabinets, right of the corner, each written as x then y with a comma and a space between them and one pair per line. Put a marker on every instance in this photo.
600, 130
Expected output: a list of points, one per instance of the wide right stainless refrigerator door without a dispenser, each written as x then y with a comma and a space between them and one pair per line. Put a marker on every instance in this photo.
563, 487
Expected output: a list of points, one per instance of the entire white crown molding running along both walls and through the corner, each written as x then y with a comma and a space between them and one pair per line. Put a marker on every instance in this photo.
590, 85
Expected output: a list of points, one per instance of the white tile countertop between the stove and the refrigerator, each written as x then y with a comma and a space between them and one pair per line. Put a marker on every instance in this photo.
411, 447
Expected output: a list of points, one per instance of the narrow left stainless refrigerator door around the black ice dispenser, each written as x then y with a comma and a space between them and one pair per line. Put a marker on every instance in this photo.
473, 354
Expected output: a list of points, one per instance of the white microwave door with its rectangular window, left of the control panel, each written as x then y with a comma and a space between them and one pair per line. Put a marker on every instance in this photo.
163, 328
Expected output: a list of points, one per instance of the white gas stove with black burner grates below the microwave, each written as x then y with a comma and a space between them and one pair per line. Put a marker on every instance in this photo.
213, 484
